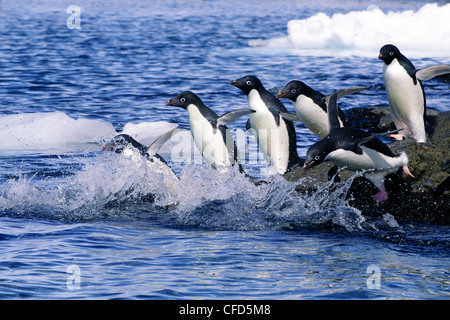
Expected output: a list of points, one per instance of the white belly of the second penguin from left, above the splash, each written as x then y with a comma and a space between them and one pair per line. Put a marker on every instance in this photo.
209, 141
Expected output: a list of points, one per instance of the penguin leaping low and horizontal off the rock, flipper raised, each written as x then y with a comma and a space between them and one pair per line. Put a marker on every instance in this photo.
357, 150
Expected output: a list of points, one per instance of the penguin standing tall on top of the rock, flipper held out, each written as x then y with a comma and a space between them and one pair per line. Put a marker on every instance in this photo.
405, 91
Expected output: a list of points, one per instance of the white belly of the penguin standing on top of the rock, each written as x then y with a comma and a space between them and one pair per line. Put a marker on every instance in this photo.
406, 101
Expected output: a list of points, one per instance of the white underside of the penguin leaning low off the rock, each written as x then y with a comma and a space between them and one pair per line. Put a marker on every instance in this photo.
378, 164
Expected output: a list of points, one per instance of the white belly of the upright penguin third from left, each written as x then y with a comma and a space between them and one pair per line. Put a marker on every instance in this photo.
273, 140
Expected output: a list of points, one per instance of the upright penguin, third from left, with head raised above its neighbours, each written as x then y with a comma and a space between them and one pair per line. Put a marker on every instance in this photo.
275, 136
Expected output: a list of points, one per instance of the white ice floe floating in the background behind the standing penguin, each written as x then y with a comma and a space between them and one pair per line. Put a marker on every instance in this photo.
424, 33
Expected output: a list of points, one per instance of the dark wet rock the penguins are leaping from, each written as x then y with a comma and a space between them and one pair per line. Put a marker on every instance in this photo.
425, 198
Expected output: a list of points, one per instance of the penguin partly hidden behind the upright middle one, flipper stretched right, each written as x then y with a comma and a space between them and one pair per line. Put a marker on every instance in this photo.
310, 106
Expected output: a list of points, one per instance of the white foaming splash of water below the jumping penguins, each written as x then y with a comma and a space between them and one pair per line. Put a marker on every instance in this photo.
113, 186
